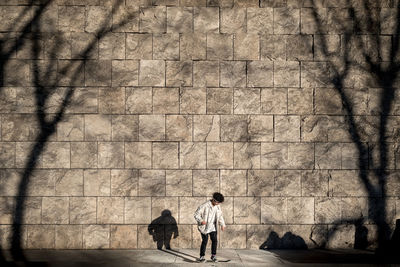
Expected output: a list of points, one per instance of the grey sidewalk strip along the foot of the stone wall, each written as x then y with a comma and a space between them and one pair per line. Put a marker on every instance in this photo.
187, 257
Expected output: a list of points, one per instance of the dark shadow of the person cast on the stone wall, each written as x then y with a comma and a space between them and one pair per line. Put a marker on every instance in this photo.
162, 229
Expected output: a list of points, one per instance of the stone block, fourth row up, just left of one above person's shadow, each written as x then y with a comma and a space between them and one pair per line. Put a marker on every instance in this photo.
137, 155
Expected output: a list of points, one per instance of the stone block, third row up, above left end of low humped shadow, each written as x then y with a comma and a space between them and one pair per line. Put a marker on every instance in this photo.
260, 182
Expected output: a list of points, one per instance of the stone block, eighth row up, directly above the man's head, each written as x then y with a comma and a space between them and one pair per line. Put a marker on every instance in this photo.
219, 46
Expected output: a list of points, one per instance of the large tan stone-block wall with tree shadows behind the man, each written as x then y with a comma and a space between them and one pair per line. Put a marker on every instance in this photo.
182, 99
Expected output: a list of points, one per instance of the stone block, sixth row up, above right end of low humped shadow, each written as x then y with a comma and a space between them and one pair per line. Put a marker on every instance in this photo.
300, 101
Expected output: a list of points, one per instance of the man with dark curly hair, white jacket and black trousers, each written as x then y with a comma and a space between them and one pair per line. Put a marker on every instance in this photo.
208, 215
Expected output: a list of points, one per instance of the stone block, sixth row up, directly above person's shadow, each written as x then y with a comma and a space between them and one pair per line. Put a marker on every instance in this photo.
166, 100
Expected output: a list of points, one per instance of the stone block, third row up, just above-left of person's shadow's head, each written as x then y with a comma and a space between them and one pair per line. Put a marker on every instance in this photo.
151, 183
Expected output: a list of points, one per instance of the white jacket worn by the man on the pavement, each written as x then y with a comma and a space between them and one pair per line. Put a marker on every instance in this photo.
203, 214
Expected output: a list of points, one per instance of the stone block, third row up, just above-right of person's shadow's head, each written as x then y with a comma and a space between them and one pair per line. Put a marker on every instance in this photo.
178, 182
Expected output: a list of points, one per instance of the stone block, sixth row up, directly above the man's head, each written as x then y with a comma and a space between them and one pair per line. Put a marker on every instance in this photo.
219, 100
